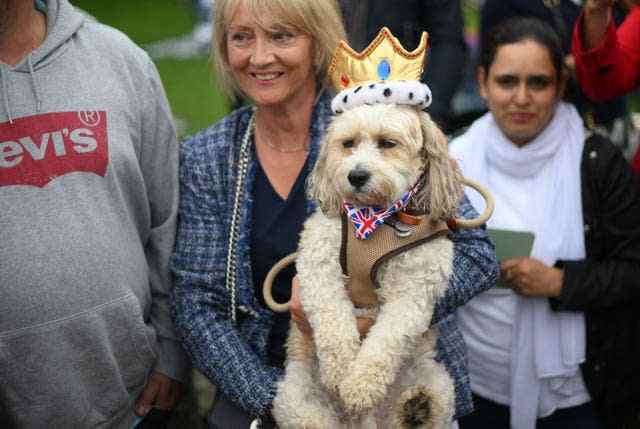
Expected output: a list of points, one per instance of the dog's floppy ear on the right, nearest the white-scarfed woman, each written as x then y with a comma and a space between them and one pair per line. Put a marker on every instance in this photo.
443, 189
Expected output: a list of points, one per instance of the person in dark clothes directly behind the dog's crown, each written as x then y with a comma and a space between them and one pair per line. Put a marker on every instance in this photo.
407, 19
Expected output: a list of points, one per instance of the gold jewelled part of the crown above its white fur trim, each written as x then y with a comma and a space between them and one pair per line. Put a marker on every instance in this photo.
384, 59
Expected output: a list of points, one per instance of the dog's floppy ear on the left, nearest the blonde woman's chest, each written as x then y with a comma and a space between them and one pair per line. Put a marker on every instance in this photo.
319, 186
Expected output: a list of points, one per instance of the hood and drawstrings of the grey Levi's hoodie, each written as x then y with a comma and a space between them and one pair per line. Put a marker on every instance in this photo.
63, 21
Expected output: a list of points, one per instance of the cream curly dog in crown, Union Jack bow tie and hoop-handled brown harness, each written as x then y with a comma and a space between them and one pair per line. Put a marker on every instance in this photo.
376, 247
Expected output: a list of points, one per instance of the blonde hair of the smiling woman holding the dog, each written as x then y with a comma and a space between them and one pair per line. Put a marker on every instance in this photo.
320, 19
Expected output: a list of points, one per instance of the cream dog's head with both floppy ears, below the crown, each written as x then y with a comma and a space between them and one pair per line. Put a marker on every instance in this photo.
372, 155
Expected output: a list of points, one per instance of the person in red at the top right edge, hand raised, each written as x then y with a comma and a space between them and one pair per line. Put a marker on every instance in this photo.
607, 60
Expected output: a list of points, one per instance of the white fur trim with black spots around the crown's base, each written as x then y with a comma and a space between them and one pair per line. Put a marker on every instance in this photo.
405, 92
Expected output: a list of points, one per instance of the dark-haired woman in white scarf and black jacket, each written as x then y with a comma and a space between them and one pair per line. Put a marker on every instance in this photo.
557, 348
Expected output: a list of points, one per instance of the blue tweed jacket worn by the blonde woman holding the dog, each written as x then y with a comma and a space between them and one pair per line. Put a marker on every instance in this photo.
234, 357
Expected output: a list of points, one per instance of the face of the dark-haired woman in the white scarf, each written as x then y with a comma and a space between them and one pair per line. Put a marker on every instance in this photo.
522, 89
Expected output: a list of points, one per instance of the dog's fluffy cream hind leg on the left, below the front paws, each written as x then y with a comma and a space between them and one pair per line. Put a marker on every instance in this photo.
300, 402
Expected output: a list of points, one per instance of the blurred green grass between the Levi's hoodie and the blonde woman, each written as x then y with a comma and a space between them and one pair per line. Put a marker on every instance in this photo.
195, 100
